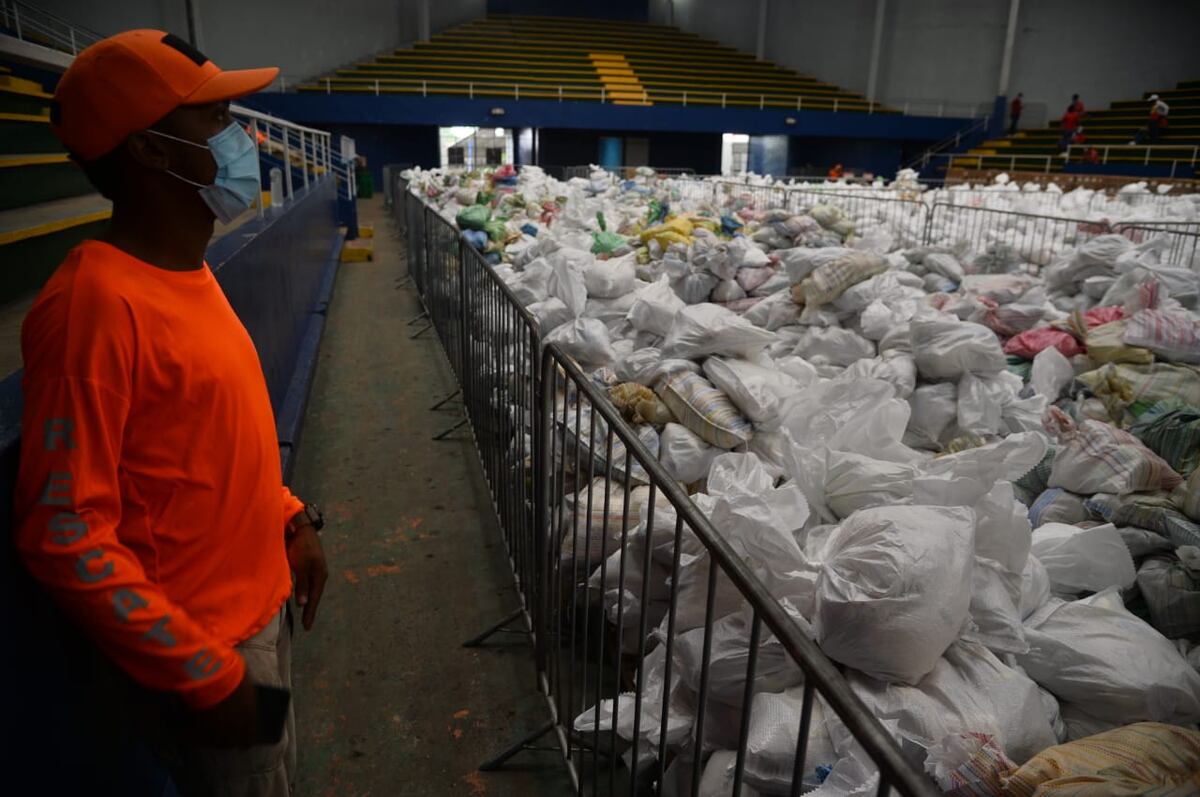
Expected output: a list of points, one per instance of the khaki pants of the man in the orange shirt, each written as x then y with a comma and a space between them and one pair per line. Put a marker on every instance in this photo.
262, 771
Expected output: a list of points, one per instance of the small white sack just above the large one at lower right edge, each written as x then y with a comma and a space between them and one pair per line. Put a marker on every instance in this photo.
1083, 560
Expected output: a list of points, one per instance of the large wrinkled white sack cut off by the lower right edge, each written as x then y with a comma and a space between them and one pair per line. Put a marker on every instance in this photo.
1095, 654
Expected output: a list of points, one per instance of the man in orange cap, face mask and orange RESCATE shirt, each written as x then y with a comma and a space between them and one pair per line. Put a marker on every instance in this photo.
151, 501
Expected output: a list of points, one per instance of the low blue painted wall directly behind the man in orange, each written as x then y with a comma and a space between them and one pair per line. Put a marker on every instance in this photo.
73, 738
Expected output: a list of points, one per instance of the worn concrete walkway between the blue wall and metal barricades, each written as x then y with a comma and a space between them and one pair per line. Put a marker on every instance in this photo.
388, 703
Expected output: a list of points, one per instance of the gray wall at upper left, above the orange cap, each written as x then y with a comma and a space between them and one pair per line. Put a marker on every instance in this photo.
303, 38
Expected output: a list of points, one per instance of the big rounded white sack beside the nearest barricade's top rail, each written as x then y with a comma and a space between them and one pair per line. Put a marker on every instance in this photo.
895, 590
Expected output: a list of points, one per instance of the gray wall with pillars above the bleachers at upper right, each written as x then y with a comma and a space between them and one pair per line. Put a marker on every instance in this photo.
951, 50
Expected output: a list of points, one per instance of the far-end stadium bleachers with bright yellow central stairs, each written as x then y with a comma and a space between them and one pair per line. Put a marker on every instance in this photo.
623, 63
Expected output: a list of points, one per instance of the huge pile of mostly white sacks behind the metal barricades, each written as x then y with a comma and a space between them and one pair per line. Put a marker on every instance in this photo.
965, 531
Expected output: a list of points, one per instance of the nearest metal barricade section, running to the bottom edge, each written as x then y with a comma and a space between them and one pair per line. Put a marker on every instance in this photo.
653, 636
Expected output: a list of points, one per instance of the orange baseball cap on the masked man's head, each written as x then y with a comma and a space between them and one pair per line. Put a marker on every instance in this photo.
129, 82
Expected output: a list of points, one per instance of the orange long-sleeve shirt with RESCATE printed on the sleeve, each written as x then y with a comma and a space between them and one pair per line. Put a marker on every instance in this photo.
151, 500
